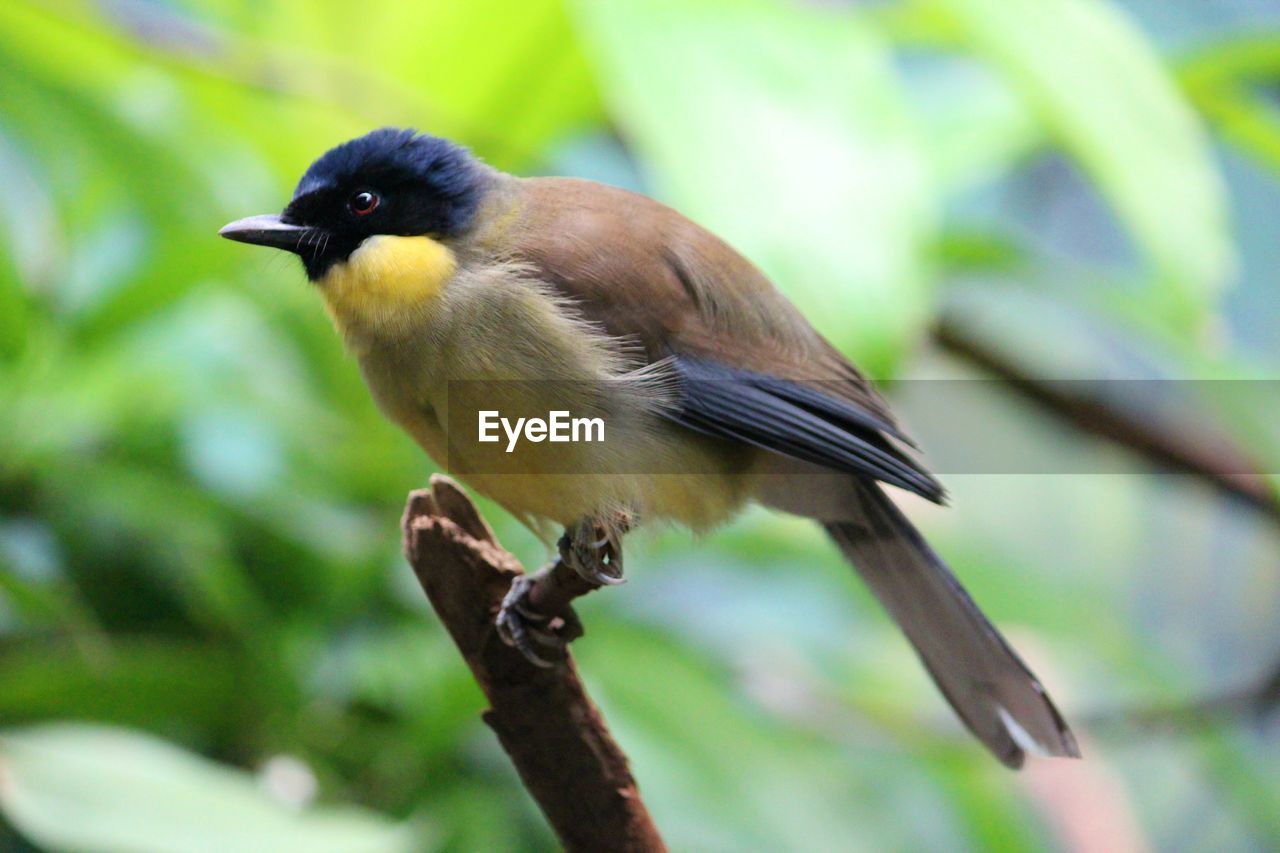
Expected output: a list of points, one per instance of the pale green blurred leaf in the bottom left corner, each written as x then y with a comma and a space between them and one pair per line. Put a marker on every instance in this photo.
94, 788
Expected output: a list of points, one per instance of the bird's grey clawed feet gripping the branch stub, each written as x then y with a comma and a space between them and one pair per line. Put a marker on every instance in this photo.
537, 609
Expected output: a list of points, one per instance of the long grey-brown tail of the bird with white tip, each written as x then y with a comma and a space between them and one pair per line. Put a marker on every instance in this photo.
984, 679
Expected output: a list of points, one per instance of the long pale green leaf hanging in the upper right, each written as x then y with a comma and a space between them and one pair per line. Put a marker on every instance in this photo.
1101, 89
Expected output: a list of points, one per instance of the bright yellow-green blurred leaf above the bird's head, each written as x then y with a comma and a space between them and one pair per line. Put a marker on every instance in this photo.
459, 70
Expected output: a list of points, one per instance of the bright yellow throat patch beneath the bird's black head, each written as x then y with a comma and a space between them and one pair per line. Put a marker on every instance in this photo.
386, 284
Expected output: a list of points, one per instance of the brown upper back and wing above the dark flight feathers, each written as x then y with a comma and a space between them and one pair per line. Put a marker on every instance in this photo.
644, 271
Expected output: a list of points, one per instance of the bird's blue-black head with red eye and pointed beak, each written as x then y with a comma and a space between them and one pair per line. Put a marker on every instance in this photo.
390, 183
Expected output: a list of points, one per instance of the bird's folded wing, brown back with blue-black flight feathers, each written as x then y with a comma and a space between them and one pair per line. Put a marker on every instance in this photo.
753, 368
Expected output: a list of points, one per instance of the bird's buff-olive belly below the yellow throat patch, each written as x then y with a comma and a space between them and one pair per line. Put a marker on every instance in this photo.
488, 357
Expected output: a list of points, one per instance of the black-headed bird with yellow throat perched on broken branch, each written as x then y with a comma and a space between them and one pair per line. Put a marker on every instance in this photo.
461, 290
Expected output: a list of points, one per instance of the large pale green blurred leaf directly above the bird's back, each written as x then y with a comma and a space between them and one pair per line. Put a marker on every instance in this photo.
784, 130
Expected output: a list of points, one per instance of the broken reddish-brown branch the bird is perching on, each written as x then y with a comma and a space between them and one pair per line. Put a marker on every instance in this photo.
543, 718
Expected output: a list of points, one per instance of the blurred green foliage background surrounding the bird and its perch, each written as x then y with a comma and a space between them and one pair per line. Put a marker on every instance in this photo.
208, 636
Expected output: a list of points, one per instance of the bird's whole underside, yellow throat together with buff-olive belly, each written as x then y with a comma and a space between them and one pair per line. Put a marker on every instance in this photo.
437, 345
